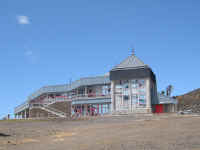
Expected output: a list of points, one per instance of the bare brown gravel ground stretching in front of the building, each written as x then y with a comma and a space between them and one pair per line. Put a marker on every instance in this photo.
159, 132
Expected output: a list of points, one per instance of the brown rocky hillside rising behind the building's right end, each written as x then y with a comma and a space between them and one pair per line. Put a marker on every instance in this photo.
190, 101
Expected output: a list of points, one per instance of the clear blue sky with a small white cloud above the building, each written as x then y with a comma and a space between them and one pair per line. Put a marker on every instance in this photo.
49, 42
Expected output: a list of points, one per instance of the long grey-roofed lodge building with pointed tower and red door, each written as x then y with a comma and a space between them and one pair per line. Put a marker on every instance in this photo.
128, 88
